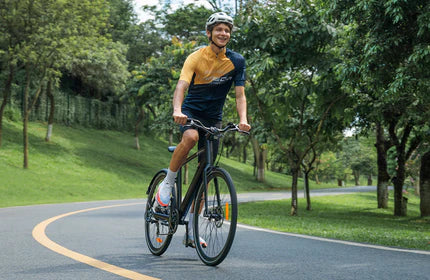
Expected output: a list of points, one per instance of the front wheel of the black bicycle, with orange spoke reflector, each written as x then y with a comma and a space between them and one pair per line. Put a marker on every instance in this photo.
217, 217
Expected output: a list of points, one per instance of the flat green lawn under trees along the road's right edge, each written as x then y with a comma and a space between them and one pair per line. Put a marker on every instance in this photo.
352, 217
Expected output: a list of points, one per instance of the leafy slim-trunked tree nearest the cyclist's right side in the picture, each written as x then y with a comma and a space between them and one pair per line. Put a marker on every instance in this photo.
291, 79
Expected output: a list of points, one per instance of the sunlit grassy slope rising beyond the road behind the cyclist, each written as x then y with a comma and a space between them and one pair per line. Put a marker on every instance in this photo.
81, 164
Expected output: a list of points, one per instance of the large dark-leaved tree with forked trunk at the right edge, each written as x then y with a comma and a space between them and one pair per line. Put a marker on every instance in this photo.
385, 61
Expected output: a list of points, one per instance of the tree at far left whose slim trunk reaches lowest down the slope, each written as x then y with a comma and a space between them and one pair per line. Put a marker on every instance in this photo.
42, 36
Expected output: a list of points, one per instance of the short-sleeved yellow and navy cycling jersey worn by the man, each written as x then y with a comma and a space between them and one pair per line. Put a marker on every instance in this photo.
210, 77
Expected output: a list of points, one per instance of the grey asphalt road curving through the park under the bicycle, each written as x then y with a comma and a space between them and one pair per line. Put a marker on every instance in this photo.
115, 236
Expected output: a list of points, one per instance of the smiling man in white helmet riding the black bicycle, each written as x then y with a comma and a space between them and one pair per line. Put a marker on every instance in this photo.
208, 74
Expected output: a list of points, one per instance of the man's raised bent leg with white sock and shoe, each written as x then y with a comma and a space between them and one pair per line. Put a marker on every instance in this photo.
189, 139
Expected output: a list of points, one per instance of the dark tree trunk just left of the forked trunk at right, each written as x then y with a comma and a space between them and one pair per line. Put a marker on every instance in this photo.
383, 177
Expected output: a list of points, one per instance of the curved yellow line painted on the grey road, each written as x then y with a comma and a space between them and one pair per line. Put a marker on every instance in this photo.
40, 236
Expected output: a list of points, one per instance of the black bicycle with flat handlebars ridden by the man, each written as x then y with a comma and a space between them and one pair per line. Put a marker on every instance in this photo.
213, 195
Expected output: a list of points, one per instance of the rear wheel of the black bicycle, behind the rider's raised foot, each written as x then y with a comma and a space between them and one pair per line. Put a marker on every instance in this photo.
156, 231
